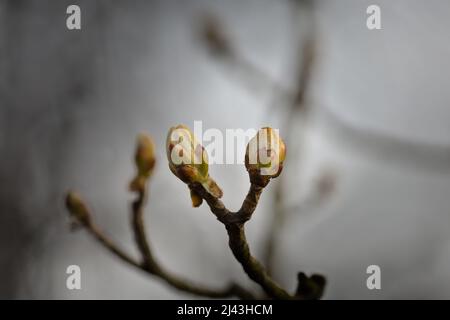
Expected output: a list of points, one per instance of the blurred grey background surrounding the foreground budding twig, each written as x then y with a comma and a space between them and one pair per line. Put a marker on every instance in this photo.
365, 114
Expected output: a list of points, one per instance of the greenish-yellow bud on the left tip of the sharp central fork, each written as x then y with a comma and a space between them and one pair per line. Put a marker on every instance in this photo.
188, 160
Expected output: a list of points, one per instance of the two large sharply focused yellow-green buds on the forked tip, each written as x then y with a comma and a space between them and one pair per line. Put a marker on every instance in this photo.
188, 159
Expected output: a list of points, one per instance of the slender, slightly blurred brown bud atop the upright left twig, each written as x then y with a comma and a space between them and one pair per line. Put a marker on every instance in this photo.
145, 161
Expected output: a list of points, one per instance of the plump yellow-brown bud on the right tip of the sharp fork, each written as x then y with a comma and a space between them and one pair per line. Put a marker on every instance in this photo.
264, 156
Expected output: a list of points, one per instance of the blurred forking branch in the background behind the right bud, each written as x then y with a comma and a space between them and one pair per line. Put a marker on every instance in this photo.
298, 107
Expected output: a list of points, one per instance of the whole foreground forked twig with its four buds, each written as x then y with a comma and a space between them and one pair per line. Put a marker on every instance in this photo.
202, 188
